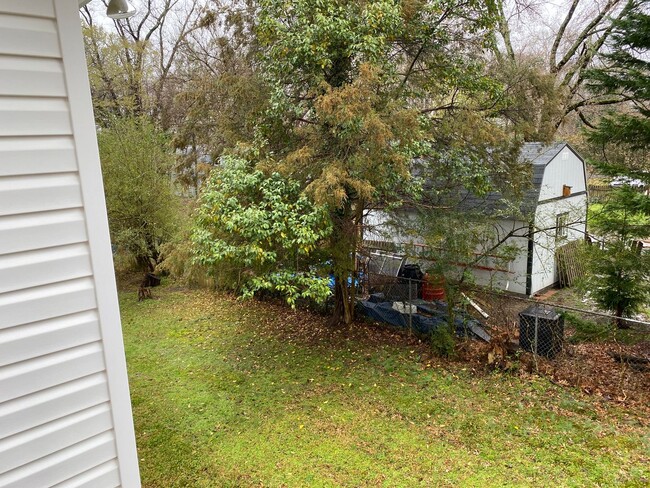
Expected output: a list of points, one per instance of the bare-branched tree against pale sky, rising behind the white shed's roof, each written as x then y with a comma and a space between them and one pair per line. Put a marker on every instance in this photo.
547, 76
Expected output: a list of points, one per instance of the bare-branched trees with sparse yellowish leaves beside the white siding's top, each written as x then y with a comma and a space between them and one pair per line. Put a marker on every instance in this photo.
132, 63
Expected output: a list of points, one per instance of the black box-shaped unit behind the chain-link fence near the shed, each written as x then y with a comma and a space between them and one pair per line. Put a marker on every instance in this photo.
541, 330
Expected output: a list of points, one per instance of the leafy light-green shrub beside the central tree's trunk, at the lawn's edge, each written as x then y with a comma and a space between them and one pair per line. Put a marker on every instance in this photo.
260, 232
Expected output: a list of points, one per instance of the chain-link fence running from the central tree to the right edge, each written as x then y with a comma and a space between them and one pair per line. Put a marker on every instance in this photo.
561, 333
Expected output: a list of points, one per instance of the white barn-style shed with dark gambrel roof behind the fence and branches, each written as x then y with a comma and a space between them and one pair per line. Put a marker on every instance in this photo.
556, 213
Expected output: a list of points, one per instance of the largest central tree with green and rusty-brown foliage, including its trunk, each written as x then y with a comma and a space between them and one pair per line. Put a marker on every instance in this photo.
360, 89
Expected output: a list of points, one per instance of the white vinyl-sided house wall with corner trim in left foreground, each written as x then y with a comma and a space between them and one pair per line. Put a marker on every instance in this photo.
65, 413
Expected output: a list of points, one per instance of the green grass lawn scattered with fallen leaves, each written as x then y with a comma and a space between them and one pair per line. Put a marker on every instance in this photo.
248, 394
